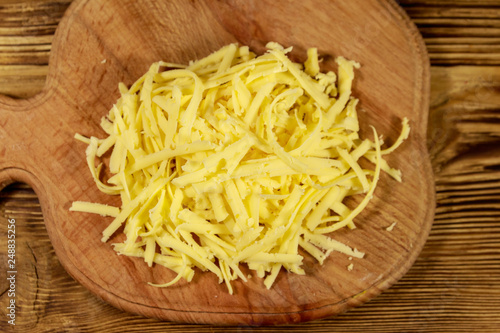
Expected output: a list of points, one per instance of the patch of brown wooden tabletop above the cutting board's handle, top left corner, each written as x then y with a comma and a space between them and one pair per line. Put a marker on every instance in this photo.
26, 32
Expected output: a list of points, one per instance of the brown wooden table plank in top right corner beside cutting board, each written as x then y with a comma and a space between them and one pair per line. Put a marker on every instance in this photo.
472, 25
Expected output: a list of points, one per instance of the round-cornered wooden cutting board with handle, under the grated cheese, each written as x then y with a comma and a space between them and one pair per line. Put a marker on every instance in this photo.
100, 43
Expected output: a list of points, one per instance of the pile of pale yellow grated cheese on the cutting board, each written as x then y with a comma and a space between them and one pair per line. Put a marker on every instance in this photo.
236, 159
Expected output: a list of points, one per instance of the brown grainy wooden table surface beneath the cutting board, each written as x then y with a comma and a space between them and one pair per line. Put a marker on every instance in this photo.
454, 286
